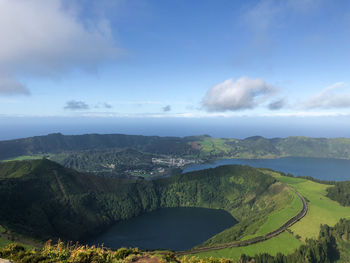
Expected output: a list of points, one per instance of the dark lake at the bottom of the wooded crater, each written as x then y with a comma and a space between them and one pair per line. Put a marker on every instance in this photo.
169, 228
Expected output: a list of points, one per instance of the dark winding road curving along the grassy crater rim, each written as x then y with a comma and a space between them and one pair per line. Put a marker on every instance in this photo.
254, 240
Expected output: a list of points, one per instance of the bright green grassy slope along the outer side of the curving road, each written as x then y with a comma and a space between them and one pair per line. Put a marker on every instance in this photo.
322, 210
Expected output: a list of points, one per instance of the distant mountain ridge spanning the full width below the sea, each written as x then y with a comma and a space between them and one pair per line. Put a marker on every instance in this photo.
195, 146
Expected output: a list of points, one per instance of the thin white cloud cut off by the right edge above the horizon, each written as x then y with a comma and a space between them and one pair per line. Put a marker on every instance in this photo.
334, 96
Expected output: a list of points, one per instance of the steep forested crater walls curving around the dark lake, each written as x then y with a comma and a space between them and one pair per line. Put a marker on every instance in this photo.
47, 200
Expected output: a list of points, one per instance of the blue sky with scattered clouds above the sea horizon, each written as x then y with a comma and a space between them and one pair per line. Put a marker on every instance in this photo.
184, 59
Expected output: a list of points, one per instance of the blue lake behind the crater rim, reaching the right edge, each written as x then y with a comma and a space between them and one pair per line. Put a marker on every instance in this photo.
320, 168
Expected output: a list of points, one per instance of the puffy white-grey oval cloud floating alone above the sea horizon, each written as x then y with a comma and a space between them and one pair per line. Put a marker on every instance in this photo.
231, 95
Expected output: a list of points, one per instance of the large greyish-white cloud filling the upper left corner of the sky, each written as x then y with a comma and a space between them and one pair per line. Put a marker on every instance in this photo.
44, 38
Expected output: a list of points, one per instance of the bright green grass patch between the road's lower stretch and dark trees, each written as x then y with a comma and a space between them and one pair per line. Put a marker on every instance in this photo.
285, 243
